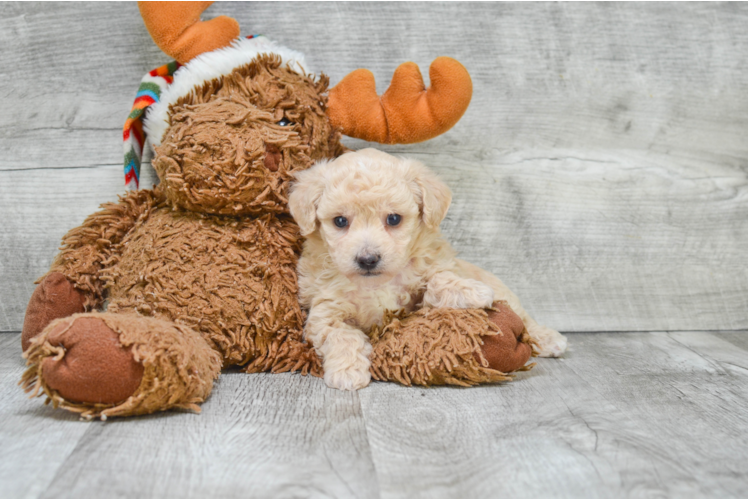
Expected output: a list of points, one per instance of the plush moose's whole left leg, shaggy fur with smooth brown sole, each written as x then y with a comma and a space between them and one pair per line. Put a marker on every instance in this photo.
104, 364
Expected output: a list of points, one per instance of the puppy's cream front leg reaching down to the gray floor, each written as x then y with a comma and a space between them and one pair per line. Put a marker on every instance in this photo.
344, 349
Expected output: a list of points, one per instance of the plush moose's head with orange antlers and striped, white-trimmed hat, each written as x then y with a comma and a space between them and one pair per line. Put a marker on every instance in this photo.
238, 118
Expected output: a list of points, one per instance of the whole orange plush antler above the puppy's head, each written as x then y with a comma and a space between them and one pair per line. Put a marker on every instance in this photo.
407, 112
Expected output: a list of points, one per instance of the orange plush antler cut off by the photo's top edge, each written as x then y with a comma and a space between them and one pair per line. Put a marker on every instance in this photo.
177, 30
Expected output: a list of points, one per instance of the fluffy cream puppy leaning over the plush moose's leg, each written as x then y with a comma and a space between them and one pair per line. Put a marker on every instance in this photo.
373, 243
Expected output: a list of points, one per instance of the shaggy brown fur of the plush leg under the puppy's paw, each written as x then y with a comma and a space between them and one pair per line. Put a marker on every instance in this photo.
434, 347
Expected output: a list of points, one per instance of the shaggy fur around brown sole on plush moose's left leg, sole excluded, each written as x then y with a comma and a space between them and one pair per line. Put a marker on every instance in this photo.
178, 366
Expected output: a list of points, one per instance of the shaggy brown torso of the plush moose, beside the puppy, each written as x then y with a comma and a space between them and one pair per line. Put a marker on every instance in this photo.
233, 280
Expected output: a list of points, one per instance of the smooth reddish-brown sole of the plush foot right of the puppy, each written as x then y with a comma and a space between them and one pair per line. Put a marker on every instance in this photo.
510, 350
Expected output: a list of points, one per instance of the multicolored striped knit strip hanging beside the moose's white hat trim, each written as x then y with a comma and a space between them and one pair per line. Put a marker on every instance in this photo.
149, 92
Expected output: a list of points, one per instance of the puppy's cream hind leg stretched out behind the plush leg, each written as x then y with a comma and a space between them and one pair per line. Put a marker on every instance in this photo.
550, 343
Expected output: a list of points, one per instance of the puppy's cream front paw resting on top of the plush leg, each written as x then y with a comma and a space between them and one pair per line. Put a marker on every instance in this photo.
446, 289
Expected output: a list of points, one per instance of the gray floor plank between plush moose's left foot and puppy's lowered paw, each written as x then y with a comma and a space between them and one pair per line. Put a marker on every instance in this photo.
259, 436
